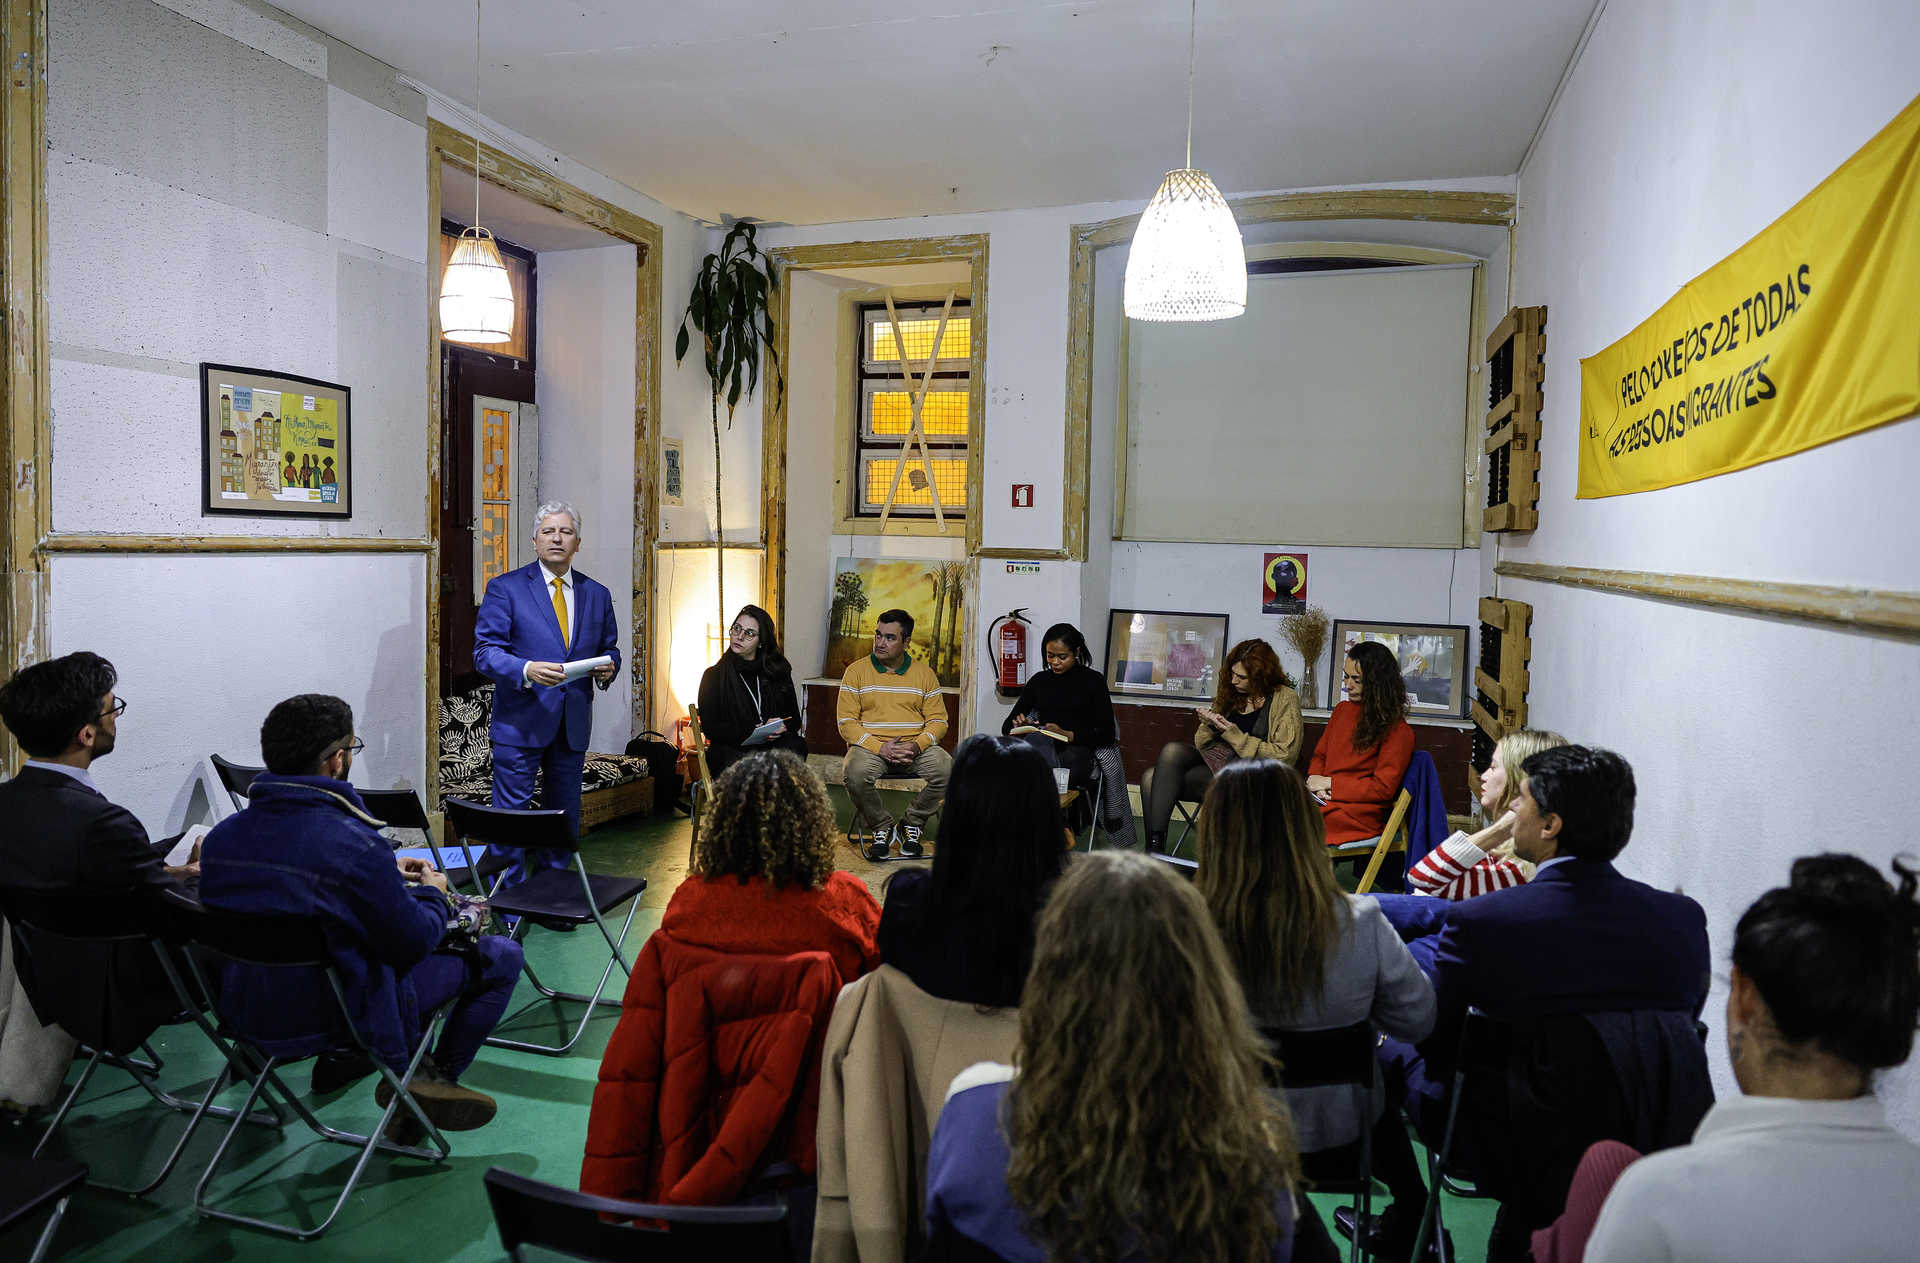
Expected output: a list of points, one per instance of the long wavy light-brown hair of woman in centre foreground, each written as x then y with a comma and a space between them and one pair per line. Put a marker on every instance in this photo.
1141, 1124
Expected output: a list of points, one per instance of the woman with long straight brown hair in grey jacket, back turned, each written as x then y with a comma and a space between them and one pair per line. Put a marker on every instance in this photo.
1308, 955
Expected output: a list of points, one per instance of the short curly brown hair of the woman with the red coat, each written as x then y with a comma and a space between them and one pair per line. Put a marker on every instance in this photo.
769, 819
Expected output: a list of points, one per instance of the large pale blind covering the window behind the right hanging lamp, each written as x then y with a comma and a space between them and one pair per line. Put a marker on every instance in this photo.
1333, 412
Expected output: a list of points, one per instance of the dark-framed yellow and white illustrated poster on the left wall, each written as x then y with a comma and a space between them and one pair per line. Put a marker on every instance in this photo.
274, 444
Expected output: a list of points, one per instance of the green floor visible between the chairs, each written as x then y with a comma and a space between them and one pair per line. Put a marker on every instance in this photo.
404, 1210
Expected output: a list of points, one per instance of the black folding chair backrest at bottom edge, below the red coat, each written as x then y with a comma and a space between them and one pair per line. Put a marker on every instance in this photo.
537, 1214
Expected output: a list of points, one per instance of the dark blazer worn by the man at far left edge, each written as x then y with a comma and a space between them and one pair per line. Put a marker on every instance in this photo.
62, 838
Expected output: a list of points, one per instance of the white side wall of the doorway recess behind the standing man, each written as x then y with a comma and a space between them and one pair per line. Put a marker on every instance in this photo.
585, 387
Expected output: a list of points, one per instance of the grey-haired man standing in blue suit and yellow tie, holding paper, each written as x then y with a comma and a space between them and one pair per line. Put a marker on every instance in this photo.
535, 621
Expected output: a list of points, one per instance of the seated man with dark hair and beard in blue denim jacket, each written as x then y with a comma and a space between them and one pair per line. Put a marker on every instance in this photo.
308, 847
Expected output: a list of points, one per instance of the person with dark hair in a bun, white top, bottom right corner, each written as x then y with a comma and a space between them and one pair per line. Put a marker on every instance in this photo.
1802, 1166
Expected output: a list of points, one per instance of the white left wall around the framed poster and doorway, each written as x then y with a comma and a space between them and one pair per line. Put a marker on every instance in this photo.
239, 187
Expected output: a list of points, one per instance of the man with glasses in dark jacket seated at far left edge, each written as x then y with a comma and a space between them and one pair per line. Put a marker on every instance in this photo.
64, 838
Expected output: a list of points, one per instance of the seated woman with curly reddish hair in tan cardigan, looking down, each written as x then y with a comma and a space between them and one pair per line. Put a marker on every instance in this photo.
1255, 715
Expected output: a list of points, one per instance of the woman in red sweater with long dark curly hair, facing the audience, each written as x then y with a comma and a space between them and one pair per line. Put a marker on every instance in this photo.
1364, 753
